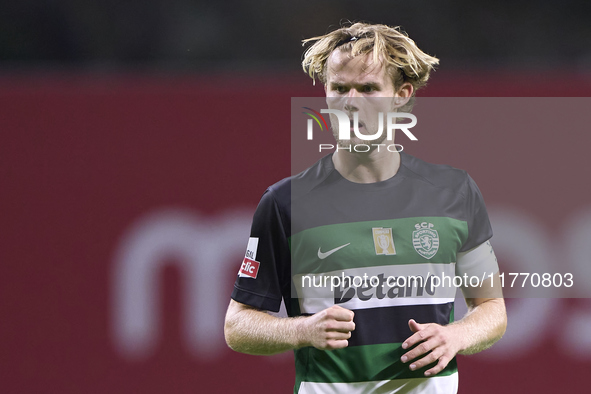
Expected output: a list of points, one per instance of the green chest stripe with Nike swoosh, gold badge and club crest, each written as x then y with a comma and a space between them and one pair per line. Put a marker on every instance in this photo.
416, 240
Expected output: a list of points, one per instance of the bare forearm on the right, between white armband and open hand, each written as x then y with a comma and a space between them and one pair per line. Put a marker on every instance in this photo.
482, 326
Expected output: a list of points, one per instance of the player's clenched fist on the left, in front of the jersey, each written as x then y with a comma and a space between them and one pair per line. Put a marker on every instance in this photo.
329, 329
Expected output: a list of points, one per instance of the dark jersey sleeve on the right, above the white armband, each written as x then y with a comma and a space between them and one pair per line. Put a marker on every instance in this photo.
479, 228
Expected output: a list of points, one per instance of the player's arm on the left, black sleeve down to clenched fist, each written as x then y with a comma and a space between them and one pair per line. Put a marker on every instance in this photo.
258, 288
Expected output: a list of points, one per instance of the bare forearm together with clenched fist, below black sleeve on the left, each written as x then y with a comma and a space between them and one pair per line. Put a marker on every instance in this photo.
252, 331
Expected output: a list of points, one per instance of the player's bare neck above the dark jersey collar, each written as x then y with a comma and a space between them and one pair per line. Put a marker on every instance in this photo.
366, 167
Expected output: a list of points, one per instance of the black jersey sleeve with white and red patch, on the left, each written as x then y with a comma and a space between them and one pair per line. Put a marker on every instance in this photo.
261, 280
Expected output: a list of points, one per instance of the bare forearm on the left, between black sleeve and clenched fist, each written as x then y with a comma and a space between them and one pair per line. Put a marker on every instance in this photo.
256, 332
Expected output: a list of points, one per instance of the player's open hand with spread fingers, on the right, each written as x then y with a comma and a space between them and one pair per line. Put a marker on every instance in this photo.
436, 344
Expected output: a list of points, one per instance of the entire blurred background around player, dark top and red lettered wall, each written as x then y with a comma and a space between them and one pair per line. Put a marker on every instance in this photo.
136, 138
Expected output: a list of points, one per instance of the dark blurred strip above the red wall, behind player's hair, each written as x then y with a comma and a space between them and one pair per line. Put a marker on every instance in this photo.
264, 36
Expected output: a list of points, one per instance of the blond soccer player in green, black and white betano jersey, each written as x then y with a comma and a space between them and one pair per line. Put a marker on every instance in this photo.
382, 214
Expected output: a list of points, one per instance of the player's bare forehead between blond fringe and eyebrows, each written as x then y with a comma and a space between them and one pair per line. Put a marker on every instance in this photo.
342, 68
